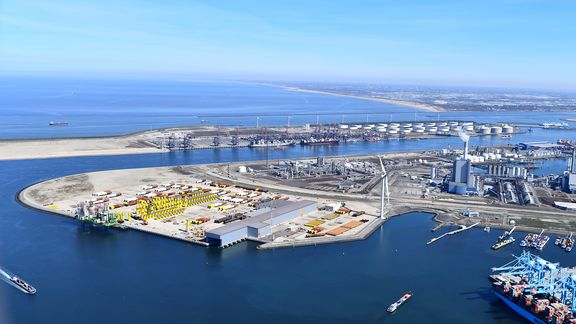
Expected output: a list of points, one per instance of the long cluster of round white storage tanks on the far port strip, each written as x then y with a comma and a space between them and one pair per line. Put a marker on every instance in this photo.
429, 127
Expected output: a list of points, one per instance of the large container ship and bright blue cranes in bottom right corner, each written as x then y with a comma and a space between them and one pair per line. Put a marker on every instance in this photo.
536, 289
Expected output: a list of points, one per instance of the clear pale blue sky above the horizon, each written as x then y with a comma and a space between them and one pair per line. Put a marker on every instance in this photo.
516, 43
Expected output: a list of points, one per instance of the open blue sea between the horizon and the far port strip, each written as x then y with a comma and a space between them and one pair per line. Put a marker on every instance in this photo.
111, 107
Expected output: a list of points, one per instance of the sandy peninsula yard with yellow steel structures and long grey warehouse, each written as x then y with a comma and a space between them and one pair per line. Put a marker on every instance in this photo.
176, 202
